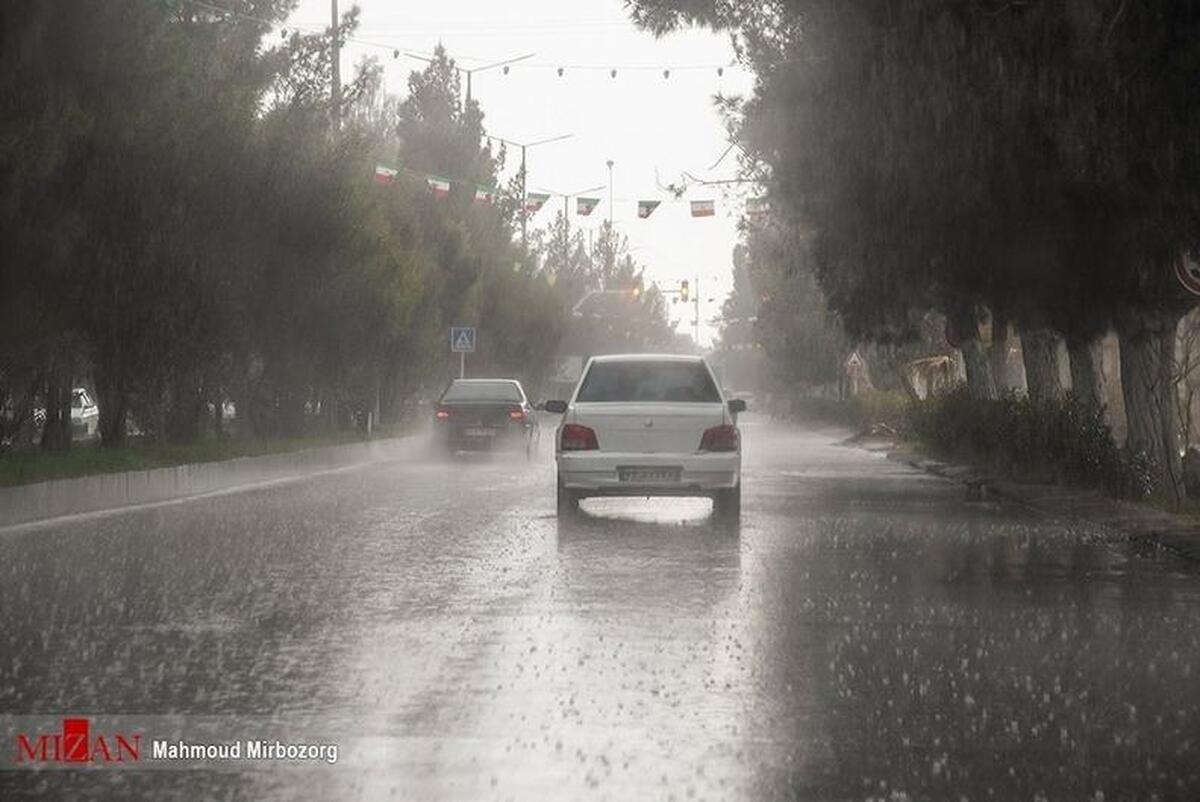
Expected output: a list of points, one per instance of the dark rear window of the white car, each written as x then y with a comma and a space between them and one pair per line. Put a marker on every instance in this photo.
652, 381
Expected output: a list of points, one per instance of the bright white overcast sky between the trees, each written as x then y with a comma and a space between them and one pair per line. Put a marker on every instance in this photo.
653, 128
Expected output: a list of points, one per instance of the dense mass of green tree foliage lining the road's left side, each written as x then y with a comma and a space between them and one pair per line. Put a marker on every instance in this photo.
190, 226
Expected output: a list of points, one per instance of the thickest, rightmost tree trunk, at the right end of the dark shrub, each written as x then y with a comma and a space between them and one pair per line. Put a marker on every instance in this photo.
1148, 367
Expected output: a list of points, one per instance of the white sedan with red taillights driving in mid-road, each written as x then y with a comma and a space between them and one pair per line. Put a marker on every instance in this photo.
649, 426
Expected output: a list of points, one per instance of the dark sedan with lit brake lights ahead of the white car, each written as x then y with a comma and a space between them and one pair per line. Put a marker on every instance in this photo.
485, 415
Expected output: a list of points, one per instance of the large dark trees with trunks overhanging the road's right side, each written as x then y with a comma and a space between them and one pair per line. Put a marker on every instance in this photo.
1028, 164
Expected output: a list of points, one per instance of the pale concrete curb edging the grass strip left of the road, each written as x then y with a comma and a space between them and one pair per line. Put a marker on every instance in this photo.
27, 505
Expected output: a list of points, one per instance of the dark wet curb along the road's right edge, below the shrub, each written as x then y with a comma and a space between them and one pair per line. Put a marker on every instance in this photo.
1131, 520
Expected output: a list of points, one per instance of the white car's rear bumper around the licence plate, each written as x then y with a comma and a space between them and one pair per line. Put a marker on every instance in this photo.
596, 474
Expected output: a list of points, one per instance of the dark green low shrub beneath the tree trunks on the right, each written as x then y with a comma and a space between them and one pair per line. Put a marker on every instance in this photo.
1057, 441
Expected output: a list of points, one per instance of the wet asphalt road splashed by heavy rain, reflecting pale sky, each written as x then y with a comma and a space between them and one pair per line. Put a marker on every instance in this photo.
865, 635
